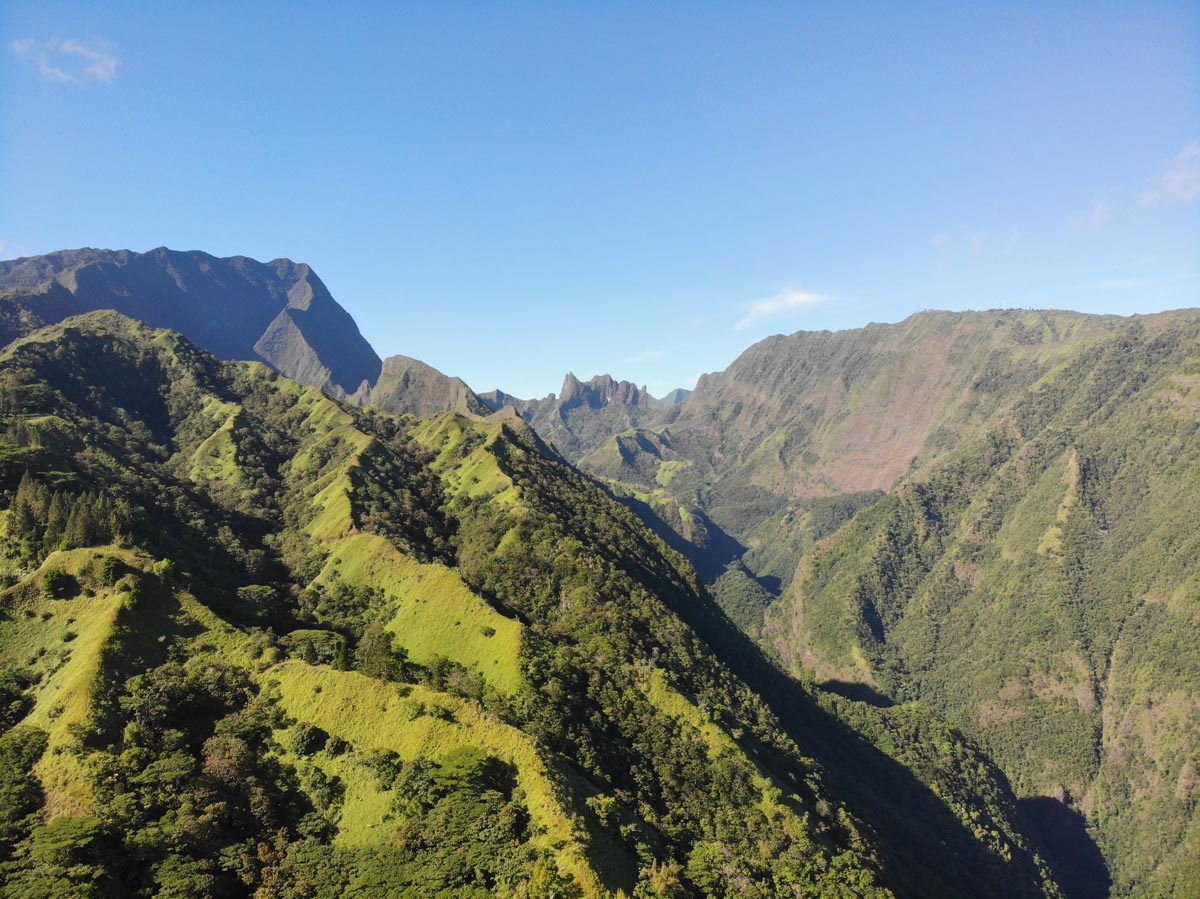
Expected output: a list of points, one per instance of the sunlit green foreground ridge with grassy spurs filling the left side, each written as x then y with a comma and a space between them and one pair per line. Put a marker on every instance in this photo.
257, 643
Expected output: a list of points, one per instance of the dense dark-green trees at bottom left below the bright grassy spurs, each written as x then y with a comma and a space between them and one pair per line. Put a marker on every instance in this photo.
196, 799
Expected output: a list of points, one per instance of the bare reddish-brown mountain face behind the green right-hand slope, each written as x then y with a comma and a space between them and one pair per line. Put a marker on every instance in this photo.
819, 413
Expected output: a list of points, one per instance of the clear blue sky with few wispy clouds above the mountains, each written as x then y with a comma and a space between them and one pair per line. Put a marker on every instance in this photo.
511, 191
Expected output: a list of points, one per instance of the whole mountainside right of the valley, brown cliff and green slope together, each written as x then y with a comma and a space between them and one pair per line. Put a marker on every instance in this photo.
1021, 496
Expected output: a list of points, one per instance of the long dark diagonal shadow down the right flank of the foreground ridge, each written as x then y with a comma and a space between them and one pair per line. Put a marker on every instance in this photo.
925, 850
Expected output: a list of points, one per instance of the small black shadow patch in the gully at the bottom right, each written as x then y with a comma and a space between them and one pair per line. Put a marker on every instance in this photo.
1073, 856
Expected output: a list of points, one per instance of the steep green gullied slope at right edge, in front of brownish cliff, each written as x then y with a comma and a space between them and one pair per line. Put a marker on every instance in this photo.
1040, 585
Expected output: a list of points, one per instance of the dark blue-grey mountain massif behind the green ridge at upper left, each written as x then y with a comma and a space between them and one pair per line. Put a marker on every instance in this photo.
279, 313
